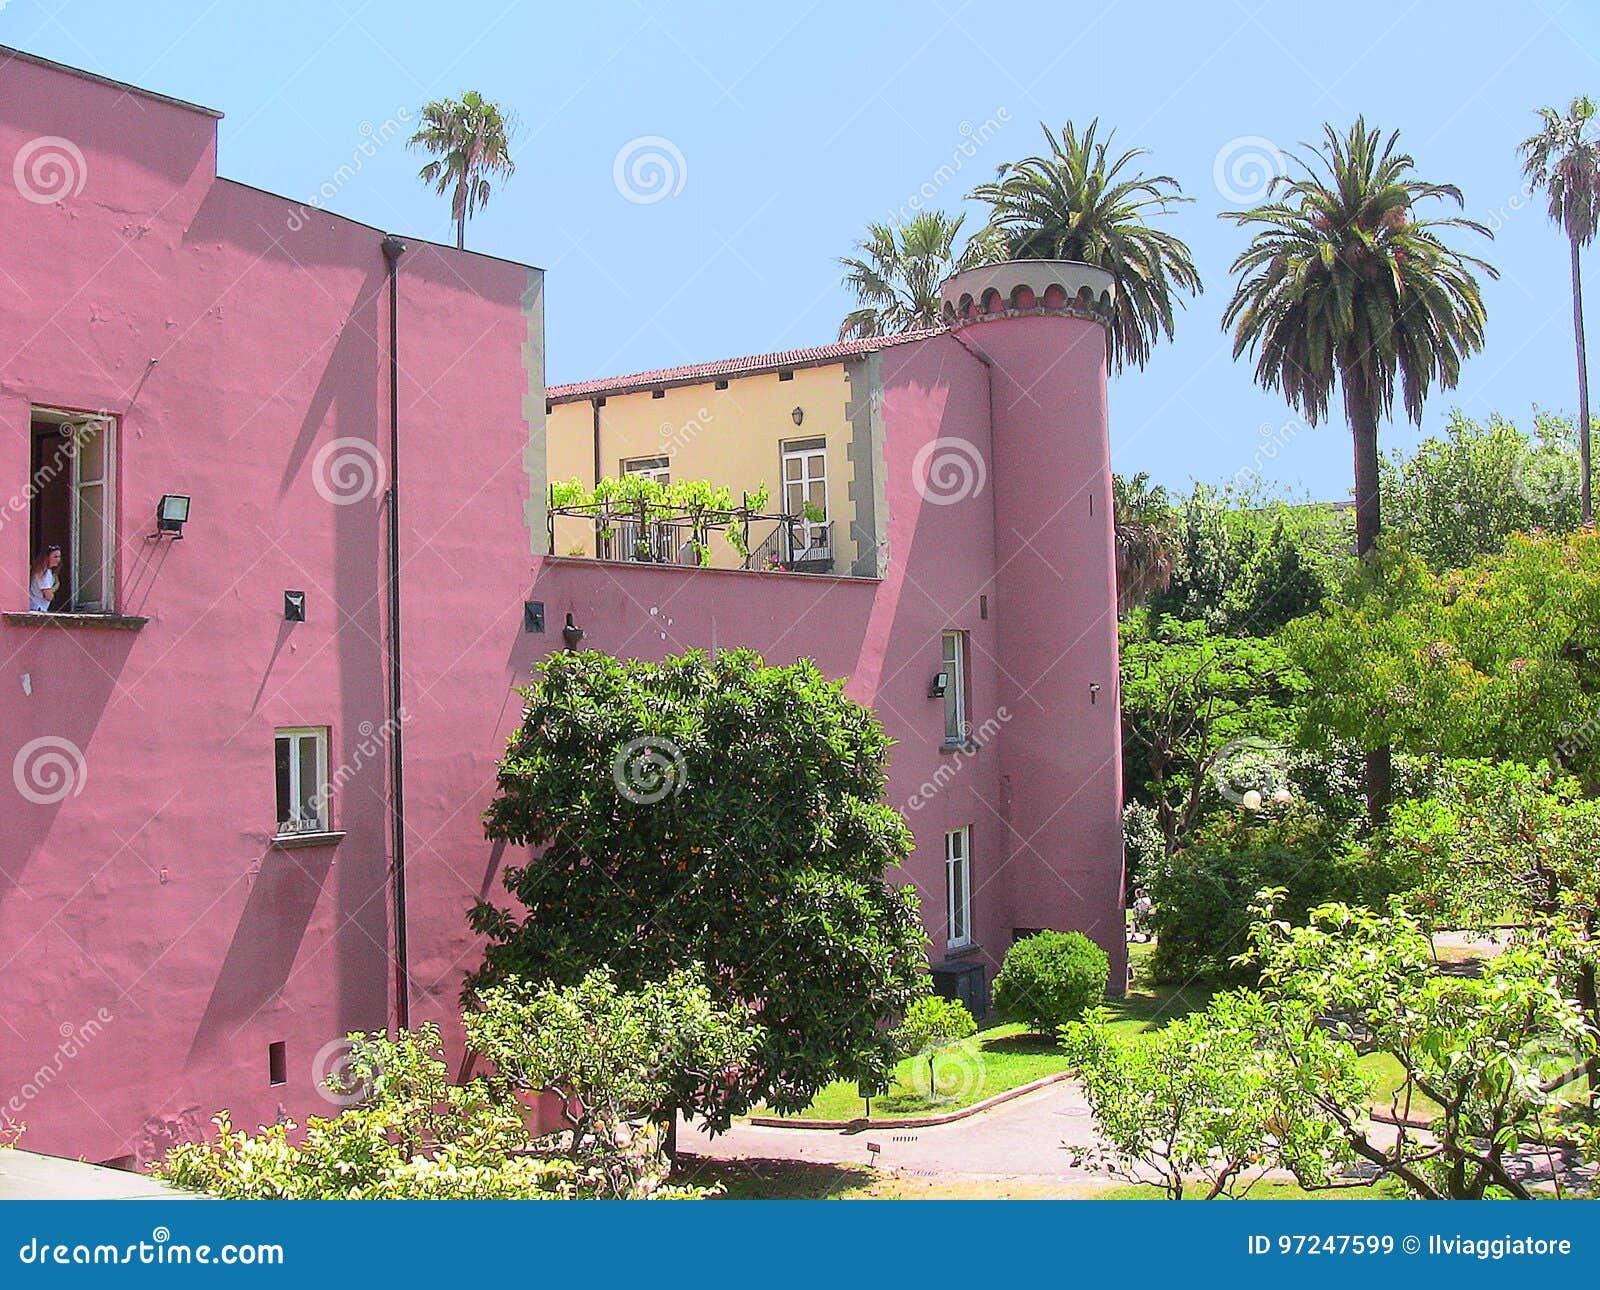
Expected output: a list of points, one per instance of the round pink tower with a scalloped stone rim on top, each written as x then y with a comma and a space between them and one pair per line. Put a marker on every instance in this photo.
1041, 327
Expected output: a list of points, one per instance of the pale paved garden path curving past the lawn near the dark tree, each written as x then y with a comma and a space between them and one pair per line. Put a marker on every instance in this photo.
1022, 1139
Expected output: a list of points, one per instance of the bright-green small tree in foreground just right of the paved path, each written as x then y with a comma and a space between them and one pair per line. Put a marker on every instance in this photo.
1202, 1104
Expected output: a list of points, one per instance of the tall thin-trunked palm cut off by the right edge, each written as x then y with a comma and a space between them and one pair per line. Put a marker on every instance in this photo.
1566, 162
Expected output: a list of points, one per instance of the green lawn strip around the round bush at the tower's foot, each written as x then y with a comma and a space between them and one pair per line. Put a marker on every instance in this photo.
998, 1059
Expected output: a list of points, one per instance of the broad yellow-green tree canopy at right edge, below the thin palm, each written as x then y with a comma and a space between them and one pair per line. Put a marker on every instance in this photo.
1497, 662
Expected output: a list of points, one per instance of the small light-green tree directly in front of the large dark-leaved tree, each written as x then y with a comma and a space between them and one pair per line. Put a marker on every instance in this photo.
612, 1057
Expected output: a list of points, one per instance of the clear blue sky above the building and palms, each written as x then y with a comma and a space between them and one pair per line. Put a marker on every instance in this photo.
798, 124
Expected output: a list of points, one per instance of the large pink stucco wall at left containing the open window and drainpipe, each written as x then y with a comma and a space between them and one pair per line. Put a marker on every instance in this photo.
151, 889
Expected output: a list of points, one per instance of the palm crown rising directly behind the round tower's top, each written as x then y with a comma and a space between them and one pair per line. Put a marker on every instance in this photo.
1073, 206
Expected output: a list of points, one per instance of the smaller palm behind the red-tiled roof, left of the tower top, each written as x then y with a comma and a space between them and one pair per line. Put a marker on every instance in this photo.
898, 273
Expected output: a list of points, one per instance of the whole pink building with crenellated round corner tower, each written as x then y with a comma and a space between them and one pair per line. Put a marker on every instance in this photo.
201, 884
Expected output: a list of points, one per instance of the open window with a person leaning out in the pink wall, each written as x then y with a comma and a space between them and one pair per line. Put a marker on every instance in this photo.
74, 510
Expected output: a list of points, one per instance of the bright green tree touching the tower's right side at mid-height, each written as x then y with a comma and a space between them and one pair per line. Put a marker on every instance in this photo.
1198, 711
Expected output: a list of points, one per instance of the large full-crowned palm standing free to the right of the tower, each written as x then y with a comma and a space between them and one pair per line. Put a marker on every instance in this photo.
1342, 286
